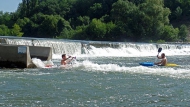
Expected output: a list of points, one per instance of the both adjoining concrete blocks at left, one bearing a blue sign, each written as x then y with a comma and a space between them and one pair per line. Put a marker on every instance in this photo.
19, 56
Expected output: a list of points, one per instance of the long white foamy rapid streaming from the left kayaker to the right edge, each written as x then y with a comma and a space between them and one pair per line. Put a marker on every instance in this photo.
174, 72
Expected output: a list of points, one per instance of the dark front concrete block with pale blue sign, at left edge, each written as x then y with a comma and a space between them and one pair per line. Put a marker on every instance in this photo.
13, 56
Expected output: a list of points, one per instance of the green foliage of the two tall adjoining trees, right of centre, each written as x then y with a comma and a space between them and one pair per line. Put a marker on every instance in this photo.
142, 22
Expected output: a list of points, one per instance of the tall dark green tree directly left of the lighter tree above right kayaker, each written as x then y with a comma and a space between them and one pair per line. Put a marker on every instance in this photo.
124, 15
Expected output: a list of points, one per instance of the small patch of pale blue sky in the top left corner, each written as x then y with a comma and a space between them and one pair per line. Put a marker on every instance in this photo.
9, 5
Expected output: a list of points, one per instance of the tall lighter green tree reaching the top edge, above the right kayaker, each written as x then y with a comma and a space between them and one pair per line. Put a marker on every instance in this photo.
154, 15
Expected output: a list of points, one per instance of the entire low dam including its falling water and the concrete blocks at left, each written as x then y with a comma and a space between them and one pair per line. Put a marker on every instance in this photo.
23, 49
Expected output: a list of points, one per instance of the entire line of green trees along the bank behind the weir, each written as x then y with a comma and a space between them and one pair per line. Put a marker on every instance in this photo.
102, 20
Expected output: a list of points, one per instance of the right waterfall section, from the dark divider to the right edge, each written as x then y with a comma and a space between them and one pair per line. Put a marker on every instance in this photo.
127, 49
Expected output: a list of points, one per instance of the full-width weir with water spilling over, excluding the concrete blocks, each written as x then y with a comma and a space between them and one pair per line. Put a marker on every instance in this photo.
99, 48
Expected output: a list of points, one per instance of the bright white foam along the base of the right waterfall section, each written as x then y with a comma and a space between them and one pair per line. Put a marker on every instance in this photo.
135, 52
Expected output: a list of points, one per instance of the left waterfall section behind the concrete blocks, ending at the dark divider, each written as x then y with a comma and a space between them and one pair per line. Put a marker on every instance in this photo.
58, 46
